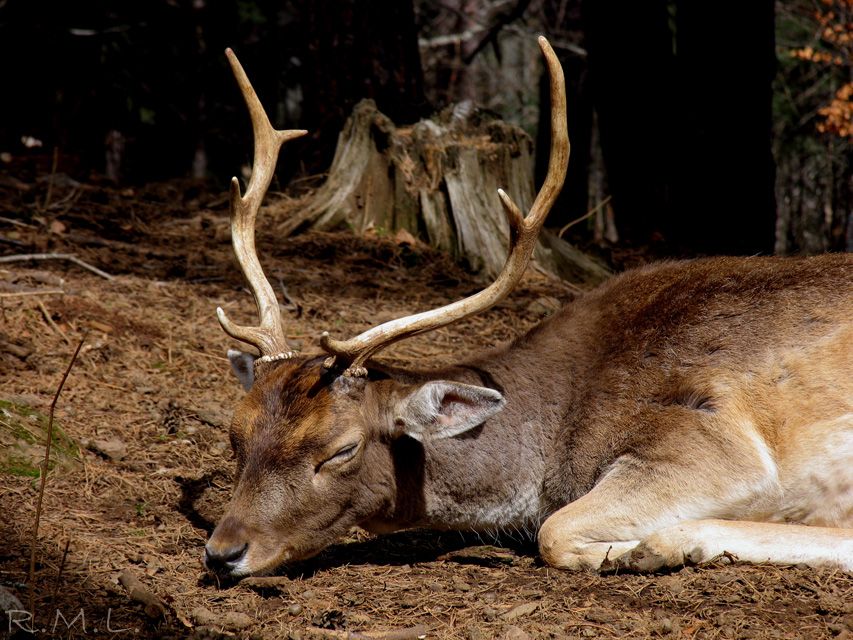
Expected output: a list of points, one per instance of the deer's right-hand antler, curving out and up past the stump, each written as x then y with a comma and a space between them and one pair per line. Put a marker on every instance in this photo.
523, 233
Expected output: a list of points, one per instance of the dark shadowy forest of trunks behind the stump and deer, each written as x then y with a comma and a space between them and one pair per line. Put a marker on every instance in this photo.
700, 119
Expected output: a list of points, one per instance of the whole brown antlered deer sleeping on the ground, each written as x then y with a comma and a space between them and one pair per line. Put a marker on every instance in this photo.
677, 412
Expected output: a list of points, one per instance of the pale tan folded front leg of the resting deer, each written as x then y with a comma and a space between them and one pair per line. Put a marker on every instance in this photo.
643, 519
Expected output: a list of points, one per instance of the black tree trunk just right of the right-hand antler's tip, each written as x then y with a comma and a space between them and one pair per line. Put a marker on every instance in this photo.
630, 73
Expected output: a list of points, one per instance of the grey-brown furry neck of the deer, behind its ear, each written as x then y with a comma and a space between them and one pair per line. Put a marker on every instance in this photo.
488, 479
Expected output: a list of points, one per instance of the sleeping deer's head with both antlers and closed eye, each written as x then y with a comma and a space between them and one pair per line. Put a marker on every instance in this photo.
319, 440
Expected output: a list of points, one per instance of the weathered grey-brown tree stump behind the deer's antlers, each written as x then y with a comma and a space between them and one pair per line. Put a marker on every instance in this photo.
438, 179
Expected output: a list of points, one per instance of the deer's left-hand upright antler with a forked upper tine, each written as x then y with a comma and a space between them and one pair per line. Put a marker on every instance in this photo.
269, 336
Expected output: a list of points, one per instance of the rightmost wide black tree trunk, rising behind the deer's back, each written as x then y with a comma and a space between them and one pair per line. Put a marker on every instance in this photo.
724, 172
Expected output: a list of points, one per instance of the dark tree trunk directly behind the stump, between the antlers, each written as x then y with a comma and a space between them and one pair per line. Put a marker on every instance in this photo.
357, 49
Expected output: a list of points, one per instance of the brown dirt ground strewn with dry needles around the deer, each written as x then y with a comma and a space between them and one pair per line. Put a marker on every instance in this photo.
141, 466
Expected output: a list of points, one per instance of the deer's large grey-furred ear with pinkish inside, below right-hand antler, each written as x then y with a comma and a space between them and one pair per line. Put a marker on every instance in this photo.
442, 409
